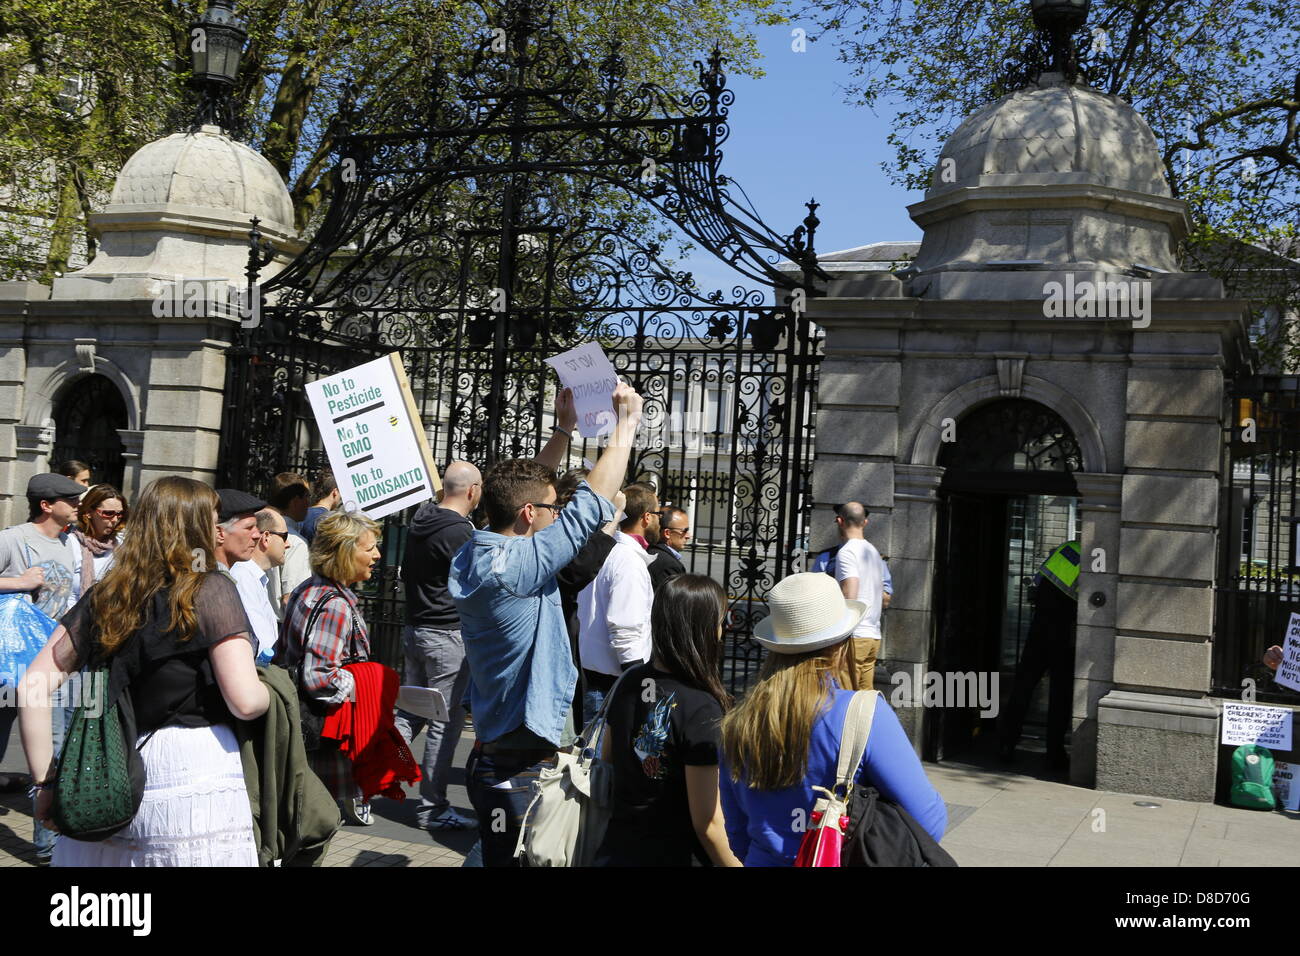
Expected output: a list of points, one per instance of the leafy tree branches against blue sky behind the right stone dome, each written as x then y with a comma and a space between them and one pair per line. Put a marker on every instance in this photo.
1217, 80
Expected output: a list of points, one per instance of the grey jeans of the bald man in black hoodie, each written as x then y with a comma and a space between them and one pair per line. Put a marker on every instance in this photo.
435, 659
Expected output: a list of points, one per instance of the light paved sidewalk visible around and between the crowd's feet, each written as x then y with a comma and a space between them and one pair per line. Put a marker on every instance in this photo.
996, 819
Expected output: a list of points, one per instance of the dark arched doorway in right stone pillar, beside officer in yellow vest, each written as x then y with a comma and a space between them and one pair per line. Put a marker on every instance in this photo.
1008, 498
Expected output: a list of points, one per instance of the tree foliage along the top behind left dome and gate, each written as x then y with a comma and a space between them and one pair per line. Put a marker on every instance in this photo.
131, 60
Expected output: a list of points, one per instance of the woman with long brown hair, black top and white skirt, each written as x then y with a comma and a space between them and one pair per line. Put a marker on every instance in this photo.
175, 637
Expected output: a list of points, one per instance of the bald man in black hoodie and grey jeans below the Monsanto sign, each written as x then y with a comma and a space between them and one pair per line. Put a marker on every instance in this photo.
435, 652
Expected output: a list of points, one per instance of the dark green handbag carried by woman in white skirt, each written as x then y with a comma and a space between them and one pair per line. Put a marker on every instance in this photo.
101, 778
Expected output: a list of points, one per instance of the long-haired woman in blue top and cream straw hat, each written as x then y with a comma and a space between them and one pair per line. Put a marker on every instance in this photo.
785, 738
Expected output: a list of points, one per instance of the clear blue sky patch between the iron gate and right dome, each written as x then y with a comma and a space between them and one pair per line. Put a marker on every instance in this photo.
794, 139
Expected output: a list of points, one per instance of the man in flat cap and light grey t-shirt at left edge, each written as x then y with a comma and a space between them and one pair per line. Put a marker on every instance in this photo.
38, 559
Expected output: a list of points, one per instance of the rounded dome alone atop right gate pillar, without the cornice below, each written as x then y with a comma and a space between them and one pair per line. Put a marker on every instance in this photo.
1054, 133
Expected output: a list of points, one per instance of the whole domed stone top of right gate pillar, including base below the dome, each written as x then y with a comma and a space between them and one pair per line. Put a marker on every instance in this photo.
1050, 178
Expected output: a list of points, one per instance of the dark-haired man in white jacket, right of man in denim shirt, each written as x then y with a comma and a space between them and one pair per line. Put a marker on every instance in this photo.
614, 611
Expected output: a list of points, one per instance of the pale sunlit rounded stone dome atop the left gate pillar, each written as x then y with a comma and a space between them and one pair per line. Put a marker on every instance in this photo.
205, 171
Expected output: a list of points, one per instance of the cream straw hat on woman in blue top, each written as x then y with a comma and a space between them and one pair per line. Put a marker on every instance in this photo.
809, 613
